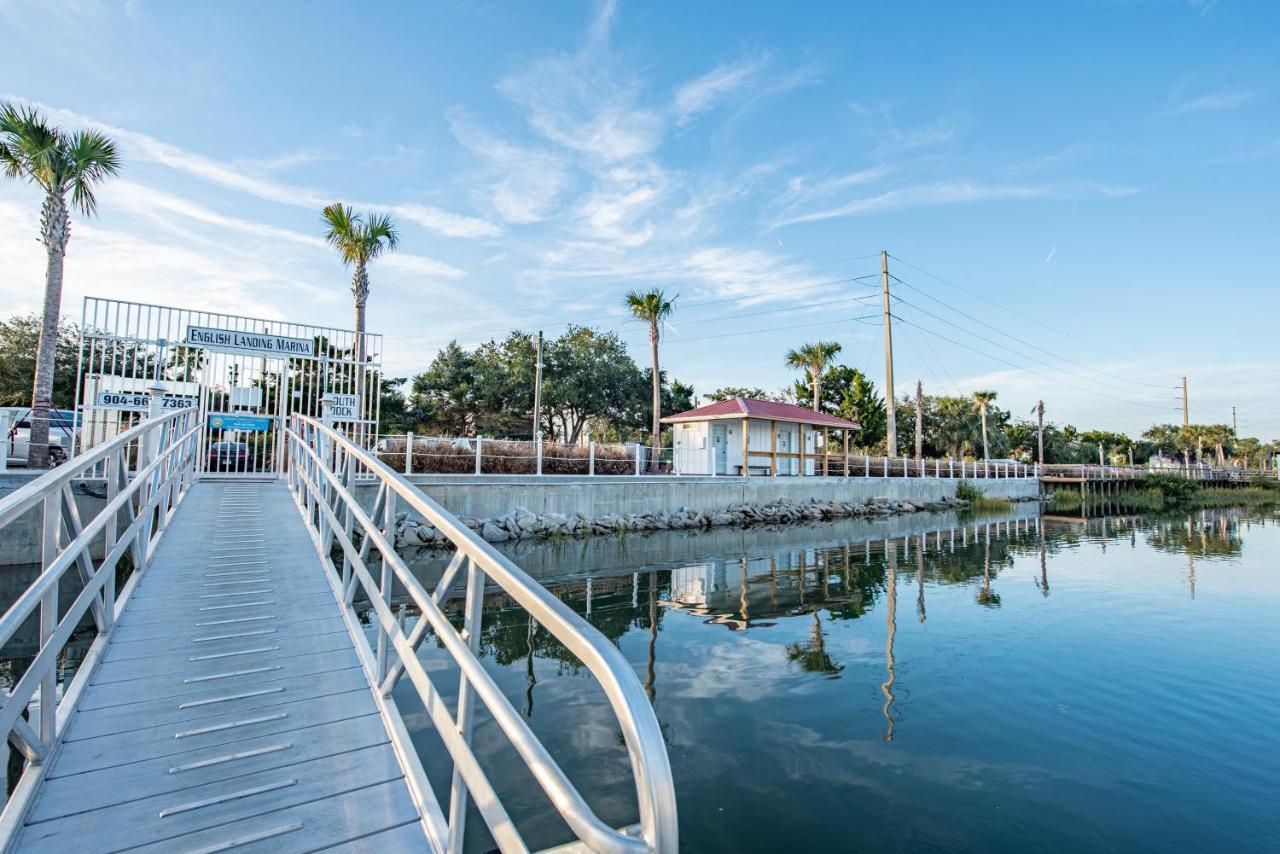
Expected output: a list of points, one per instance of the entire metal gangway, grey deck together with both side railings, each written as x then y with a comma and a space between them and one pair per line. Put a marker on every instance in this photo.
234, 700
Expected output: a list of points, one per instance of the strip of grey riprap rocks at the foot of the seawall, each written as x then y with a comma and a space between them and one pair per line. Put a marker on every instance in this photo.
522, 523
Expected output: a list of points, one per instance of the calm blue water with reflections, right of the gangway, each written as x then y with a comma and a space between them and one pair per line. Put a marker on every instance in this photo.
916, 684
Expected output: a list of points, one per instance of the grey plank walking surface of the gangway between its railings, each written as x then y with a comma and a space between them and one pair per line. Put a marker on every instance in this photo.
231, 710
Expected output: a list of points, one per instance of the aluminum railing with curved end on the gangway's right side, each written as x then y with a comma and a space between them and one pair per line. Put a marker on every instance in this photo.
324, 468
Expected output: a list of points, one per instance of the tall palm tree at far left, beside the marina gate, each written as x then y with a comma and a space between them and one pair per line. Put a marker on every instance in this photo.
61, 163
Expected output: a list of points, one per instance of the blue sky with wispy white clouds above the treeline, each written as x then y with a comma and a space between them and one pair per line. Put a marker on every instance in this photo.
1080, 200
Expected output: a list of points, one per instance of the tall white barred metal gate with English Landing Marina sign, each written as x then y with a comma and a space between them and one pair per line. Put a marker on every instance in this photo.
246, 375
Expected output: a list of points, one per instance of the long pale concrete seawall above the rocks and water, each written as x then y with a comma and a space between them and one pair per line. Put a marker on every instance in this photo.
492, 496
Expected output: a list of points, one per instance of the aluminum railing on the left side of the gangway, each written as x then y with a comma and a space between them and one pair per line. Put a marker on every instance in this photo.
148, 472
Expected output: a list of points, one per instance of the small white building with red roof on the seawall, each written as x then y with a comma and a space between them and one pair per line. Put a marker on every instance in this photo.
776, 440
